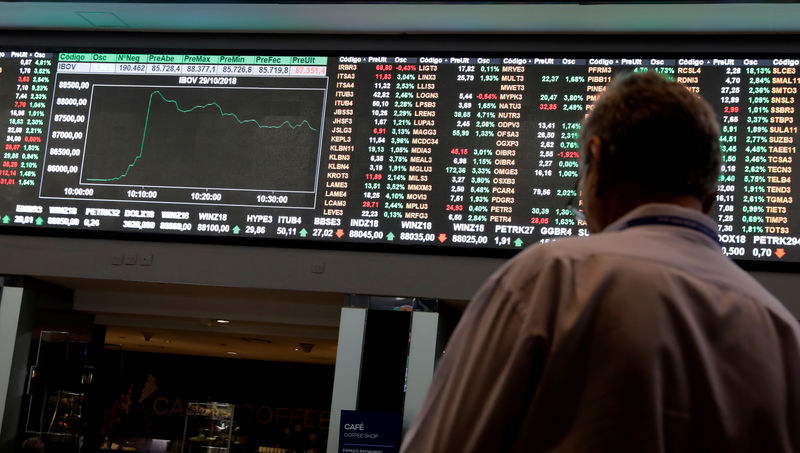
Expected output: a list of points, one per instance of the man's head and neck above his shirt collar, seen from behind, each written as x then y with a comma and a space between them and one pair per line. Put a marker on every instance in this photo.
647, 140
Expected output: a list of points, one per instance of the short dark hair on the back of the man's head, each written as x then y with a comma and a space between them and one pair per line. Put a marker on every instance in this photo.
658, 138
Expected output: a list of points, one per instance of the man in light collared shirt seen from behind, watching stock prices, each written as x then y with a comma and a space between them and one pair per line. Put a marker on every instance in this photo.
640, 338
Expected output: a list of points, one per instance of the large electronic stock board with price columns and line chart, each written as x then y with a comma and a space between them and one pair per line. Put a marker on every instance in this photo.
444, 152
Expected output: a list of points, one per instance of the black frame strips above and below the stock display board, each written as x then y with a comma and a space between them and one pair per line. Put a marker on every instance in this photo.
541, 45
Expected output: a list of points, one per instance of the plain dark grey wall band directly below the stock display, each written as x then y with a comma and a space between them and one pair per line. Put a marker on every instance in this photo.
358, 272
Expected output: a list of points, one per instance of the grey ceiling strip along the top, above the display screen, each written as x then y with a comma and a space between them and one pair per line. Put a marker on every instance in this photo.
405, 17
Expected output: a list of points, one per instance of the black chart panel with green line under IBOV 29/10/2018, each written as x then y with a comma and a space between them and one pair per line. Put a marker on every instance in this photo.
192, 137
